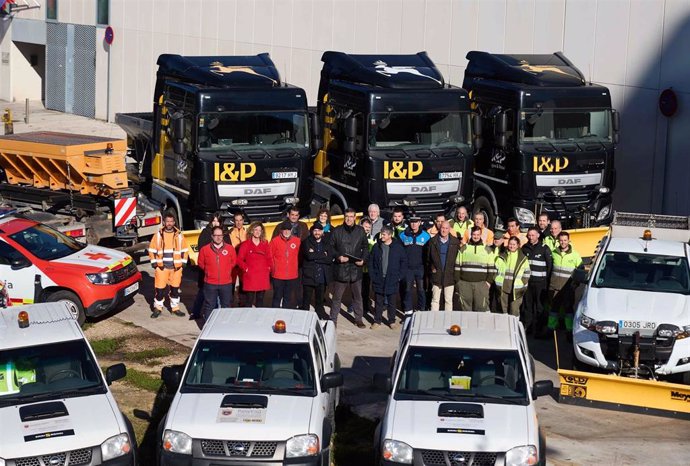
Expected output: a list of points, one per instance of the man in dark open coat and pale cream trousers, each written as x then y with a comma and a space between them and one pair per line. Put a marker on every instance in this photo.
442, 250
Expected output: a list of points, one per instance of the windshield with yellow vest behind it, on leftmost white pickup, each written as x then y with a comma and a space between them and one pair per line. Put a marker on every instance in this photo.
50, 371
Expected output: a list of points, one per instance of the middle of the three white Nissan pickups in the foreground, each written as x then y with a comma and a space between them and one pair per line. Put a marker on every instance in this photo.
260, 387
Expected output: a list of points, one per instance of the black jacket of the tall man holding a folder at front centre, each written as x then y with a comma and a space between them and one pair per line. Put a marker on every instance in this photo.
349, 241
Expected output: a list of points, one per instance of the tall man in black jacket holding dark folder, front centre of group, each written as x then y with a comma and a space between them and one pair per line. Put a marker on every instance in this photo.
351, 253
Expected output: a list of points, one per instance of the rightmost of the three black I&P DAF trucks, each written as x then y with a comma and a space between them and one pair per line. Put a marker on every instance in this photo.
549, 139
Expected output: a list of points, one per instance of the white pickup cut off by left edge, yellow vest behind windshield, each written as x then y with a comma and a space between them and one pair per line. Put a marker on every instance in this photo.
55, 405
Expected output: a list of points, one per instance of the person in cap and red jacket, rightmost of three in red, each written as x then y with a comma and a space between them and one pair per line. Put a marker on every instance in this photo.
284, 269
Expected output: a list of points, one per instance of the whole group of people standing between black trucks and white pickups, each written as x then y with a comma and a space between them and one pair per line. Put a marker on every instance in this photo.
526, 275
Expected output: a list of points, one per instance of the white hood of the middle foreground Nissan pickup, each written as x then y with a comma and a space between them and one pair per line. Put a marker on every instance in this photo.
199, 416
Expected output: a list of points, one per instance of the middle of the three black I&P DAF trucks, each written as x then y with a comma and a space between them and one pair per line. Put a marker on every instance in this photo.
394, 133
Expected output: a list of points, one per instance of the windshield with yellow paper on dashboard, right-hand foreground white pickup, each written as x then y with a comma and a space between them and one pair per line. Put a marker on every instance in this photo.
494, 376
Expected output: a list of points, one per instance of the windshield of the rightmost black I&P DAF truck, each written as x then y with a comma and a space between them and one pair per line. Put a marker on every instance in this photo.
565, 125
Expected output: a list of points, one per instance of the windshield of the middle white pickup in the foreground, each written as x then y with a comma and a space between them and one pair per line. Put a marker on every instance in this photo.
257, 367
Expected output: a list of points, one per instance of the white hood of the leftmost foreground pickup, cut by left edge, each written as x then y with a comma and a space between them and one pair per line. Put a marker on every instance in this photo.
91, 418
